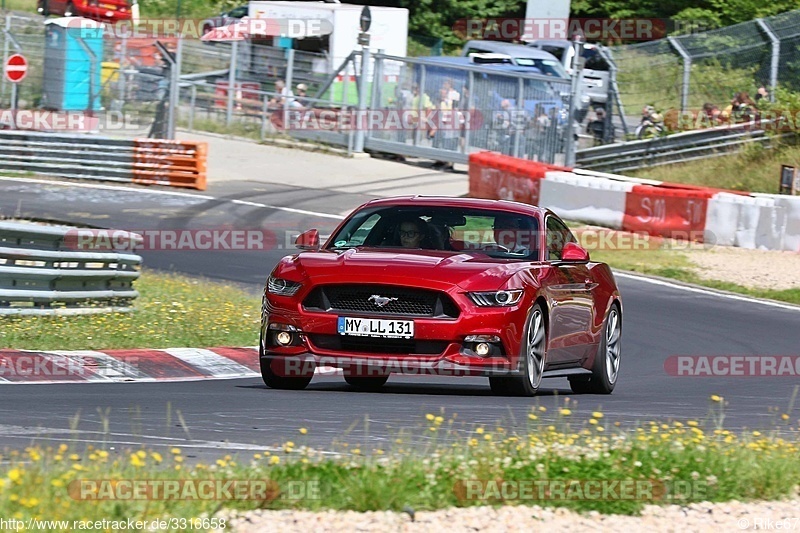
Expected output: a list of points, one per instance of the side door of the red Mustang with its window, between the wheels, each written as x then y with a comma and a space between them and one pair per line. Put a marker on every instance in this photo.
569, 292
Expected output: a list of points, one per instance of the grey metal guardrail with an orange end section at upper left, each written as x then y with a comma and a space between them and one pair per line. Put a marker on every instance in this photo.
144, 161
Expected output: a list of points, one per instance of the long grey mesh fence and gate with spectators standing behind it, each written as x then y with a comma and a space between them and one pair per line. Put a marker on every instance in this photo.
410, 107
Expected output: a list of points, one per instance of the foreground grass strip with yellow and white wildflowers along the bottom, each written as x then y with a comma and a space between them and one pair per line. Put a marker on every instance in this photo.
683, 462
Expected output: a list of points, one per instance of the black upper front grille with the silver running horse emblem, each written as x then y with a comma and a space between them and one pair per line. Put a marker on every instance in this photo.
356, 299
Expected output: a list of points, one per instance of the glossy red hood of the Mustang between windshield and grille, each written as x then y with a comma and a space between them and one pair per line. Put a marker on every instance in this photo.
433, 269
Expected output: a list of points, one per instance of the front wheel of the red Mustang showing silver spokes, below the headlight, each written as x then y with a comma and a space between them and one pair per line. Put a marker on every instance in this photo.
533, 357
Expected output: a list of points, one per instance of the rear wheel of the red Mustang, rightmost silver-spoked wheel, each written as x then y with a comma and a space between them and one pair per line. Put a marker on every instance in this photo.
605, 370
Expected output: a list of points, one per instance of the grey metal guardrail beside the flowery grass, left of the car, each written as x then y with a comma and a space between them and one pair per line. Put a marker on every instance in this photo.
41, 274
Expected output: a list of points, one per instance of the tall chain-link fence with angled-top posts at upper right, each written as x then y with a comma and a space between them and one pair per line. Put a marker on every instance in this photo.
686, 71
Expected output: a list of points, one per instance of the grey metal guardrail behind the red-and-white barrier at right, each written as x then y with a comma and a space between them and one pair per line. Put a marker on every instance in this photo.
676, 148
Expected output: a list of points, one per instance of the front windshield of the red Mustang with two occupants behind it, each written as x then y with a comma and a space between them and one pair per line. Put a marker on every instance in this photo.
495, 233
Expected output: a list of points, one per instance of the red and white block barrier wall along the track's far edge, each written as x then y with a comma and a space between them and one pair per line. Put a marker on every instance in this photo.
659, 208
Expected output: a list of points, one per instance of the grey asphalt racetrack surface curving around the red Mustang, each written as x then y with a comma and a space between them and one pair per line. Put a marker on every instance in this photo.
660, 320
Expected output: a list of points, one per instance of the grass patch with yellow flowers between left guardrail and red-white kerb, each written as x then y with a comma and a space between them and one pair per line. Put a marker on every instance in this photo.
171, 311
